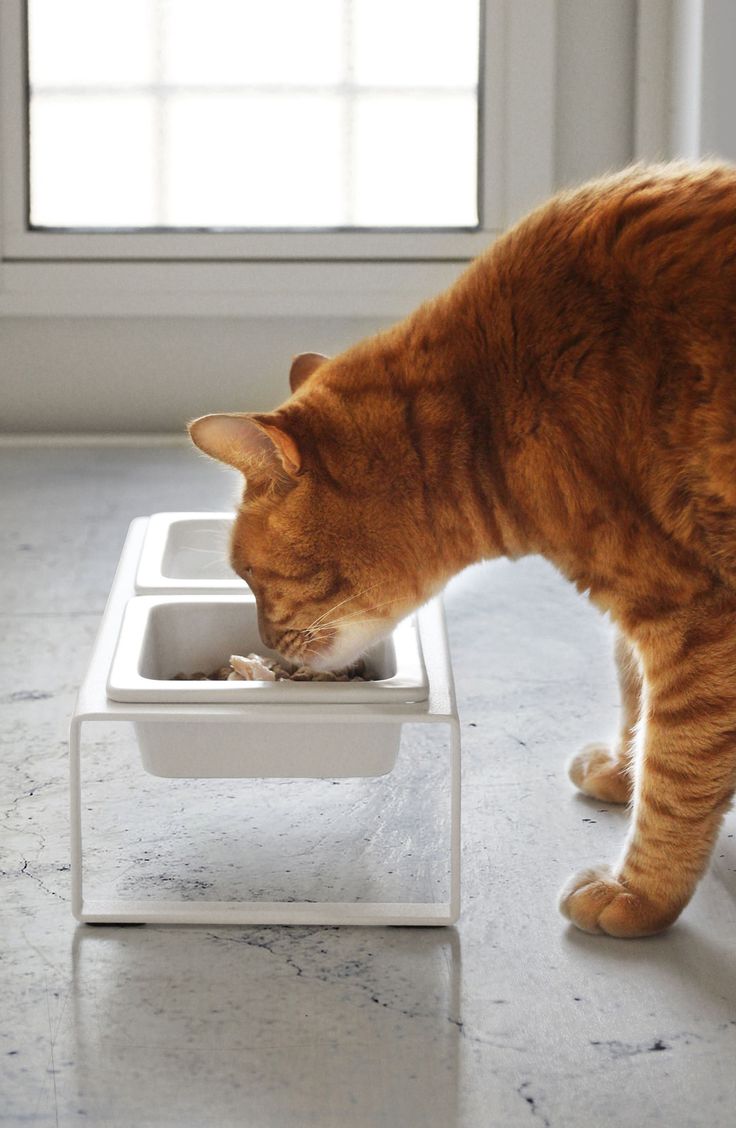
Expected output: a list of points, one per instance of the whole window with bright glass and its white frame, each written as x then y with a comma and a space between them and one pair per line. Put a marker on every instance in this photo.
235, 157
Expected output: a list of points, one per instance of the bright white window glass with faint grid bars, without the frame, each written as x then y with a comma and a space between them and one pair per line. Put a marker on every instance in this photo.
244, 114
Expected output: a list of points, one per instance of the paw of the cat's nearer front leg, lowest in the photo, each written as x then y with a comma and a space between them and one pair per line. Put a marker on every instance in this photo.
598, 902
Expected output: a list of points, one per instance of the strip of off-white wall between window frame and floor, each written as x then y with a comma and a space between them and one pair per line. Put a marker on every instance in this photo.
151, 375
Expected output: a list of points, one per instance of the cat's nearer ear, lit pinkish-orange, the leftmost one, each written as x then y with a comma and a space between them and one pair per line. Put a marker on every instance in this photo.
248, 443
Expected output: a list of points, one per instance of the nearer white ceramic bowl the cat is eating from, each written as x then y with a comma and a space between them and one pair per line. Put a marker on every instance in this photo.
162, 636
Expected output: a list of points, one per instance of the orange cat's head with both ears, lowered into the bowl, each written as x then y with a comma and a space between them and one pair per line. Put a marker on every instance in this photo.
327, 534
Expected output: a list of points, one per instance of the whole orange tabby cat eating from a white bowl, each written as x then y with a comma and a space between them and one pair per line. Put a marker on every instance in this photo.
573, 394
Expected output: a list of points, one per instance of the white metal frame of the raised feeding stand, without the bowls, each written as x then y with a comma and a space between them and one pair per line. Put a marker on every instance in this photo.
93, 706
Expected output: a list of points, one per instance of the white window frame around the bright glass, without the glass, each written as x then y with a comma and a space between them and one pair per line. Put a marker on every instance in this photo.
264, 274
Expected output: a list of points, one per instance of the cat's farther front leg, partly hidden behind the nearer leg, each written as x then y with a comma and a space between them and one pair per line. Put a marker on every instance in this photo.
599, 771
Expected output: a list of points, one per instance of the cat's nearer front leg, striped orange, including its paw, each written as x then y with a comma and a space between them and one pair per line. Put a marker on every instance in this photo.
685, 778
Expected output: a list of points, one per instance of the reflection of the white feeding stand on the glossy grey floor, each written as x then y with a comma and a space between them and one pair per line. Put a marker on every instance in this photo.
266, 1026
